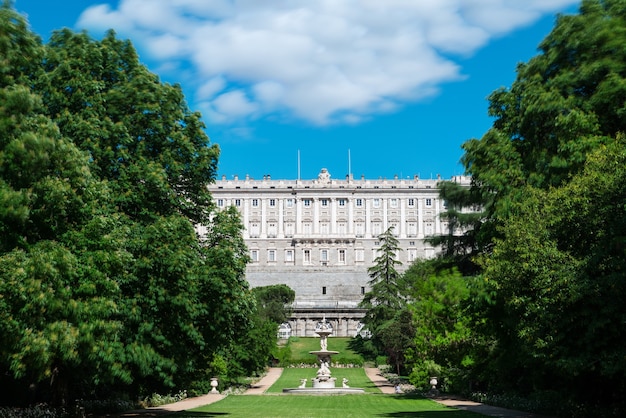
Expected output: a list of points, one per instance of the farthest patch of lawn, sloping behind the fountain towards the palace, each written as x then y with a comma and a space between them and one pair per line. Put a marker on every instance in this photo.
301, 346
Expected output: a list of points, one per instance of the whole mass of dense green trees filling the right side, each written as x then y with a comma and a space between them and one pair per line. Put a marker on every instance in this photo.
527, 296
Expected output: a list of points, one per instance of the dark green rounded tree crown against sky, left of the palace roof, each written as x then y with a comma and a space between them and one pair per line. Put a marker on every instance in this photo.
139, 132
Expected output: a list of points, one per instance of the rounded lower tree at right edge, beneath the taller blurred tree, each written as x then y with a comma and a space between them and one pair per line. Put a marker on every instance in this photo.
559, 279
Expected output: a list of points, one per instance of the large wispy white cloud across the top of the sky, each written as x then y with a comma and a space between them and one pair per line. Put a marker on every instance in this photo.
324, 61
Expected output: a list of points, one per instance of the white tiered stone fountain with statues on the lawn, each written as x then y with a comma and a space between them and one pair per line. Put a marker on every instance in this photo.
323, 382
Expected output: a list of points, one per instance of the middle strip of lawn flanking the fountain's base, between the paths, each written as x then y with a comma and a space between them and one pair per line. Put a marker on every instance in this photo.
290, 378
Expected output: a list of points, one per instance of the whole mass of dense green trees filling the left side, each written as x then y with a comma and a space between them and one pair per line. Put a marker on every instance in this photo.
105, 284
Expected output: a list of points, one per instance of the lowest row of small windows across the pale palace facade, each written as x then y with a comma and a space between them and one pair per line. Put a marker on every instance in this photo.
324, 256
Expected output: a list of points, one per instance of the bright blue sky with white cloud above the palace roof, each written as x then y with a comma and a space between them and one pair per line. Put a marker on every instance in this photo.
382, 88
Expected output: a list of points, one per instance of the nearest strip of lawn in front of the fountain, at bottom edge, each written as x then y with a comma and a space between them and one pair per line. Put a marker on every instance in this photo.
344, 406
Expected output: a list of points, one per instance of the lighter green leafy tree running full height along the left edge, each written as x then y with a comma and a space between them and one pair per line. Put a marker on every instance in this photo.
58, 312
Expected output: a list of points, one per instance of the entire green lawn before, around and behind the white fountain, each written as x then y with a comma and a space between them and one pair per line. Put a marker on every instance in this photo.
373, 403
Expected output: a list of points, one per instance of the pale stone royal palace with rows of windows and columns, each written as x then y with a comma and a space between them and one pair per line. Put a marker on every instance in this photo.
319, 237
